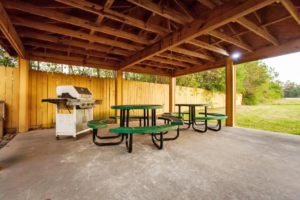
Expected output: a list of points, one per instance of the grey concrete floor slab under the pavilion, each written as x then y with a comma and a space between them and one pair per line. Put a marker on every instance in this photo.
234, 163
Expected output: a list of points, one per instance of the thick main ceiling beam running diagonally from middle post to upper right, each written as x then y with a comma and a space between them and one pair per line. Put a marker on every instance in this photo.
217, 18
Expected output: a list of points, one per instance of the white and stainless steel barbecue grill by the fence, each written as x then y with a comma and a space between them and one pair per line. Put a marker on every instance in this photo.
74, 107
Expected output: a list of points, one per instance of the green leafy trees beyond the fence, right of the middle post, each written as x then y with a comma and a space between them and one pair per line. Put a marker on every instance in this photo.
255, 80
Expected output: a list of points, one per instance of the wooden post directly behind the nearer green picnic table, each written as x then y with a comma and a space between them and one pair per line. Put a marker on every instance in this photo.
119, 91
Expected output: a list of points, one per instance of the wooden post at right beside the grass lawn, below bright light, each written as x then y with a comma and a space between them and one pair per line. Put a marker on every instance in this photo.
230, 93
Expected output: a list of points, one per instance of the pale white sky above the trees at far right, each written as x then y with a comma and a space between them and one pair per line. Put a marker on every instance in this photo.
288, 67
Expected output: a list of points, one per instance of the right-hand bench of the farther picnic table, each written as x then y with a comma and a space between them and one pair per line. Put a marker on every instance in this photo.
211, 116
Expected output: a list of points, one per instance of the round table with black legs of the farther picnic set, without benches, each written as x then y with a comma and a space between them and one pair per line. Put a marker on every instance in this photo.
192, 114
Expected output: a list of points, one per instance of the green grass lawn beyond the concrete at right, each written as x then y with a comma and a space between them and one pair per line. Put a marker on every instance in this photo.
280, 116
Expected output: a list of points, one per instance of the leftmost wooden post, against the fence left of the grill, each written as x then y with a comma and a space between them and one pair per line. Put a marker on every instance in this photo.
23, 95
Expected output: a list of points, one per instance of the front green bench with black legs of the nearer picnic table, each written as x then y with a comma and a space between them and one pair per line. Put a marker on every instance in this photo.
128, 132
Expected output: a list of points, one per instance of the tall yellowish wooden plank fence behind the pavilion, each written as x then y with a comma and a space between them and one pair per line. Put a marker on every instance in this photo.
43, 85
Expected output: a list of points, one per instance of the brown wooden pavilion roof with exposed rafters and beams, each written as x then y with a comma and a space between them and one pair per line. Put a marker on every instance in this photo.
159, 37
